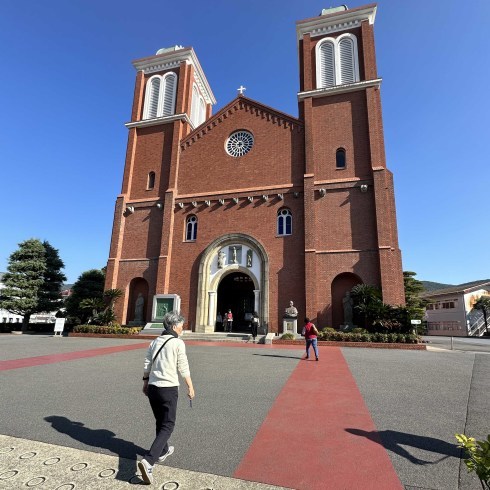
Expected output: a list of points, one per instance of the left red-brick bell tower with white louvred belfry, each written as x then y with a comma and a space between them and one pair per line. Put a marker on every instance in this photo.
171, 98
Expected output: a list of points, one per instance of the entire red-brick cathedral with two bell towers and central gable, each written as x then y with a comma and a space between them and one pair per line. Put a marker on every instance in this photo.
250, 208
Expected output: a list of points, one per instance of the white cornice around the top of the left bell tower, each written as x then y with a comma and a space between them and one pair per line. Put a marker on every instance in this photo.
172, 59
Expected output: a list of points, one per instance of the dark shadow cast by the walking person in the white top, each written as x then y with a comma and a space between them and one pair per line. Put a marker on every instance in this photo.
105, 439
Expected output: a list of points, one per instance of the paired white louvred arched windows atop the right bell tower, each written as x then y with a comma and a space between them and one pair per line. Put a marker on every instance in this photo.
337, 61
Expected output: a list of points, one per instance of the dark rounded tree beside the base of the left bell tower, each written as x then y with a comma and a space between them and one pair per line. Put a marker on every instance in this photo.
89, 286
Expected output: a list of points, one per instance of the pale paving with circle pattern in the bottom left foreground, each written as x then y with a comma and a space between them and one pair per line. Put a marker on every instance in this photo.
33, 464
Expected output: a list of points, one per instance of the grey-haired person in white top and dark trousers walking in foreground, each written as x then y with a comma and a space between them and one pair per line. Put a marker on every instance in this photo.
165, 358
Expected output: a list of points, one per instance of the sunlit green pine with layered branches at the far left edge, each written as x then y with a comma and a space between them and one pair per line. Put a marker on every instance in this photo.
24, 280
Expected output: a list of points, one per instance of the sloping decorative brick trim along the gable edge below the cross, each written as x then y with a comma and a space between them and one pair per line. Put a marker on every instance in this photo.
242, 103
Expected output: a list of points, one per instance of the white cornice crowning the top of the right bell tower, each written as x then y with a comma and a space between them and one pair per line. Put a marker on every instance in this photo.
338, 21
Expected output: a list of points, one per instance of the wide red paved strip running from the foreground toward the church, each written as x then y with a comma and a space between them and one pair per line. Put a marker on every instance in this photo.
304, 441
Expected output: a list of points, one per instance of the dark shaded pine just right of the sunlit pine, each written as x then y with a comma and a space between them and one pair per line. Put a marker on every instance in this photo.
50, 294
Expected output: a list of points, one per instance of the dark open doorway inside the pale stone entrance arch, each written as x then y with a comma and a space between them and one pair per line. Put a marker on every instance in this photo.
236, 293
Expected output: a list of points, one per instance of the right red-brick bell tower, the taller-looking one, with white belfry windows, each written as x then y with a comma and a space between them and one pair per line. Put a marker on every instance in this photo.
350, 223
